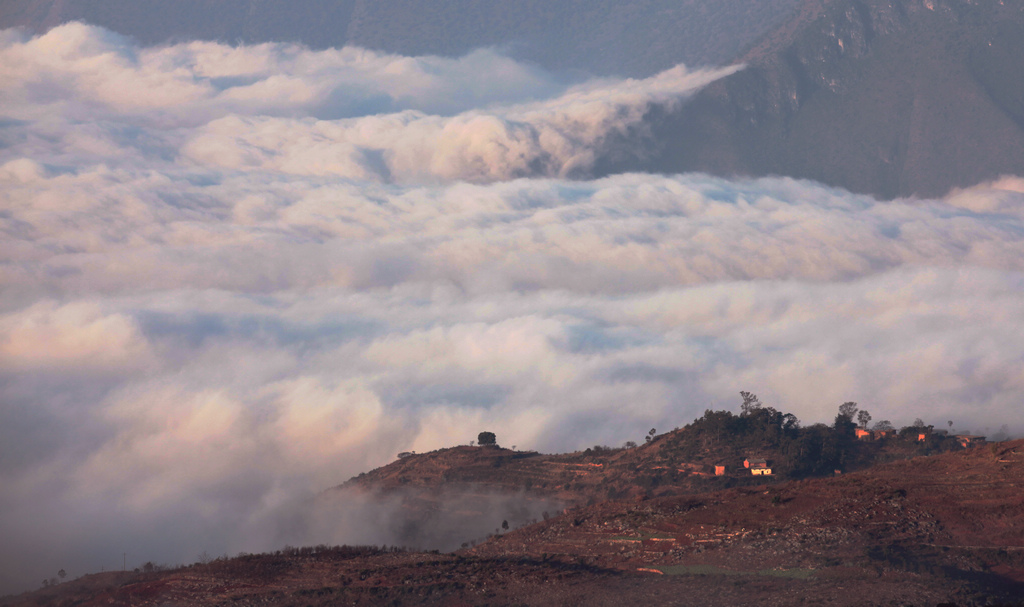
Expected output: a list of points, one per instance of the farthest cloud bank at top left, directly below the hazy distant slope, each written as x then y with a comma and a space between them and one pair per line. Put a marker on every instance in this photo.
83, 71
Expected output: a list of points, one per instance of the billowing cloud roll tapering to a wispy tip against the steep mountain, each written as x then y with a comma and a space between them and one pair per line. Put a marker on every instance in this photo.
563, 137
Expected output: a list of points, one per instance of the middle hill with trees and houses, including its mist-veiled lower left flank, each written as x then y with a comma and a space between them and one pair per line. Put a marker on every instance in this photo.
457, 497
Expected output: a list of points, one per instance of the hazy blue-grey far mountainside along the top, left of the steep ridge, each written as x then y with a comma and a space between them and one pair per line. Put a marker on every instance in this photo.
631, 38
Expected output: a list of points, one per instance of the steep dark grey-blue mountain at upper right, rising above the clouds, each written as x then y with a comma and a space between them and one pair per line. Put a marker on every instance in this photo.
891, 98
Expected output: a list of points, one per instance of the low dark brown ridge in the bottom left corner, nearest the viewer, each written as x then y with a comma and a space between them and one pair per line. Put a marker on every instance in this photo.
343, 577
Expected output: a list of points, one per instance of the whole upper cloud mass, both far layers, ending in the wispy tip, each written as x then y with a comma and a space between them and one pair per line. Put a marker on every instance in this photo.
346, 113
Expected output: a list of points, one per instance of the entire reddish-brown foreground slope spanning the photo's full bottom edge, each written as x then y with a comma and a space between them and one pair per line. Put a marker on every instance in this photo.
924, 532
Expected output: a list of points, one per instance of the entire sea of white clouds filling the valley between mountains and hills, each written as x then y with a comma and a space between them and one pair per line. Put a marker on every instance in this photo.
234, 277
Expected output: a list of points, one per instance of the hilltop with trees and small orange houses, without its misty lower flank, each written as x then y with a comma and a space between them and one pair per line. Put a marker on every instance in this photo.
682, 461
